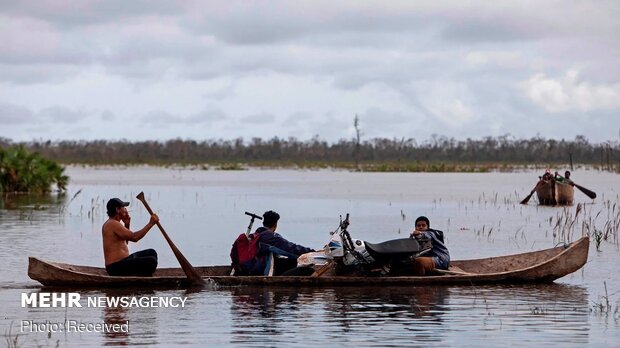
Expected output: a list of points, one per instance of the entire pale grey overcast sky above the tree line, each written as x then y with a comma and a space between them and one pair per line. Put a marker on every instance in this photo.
158, 70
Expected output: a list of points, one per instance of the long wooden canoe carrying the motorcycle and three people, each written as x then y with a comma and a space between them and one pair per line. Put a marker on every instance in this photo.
537, 266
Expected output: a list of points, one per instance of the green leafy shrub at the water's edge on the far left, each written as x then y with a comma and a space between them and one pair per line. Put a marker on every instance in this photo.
24, 171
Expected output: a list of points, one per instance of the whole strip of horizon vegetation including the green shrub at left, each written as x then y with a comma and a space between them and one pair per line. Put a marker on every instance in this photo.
37, 166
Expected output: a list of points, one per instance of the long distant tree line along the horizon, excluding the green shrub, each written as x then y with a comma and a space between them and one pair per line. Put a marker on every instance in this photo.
399, 153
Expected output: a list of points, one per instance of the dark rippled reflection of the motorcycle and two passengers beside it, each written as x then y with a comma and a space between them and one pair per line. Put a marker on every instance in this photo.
275, 312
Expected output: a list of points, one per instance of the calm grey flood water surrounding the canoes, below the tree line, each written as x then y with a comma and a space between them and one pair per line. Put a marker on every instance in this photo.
203, 211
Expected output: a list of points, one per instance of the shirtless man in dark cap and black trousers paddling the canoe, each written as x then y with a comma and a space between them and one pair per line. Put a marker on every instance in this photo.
116, 236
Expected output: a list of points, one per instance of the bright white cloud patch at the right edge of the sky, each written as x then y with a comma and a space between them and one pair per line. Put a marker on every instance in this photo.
569, 93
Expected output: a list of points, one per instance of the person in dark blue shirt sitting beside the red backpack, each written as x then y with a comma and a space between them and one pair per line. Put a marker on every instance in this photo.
271, 242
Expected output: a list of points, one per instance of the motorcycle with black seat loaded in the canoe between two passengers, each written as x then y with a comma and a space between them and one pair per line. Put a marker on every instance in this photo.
357, 257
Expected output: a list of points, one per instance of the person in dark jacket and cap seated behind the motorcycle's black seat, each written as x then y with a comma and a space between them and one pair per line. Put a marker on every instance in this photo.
438, 257
